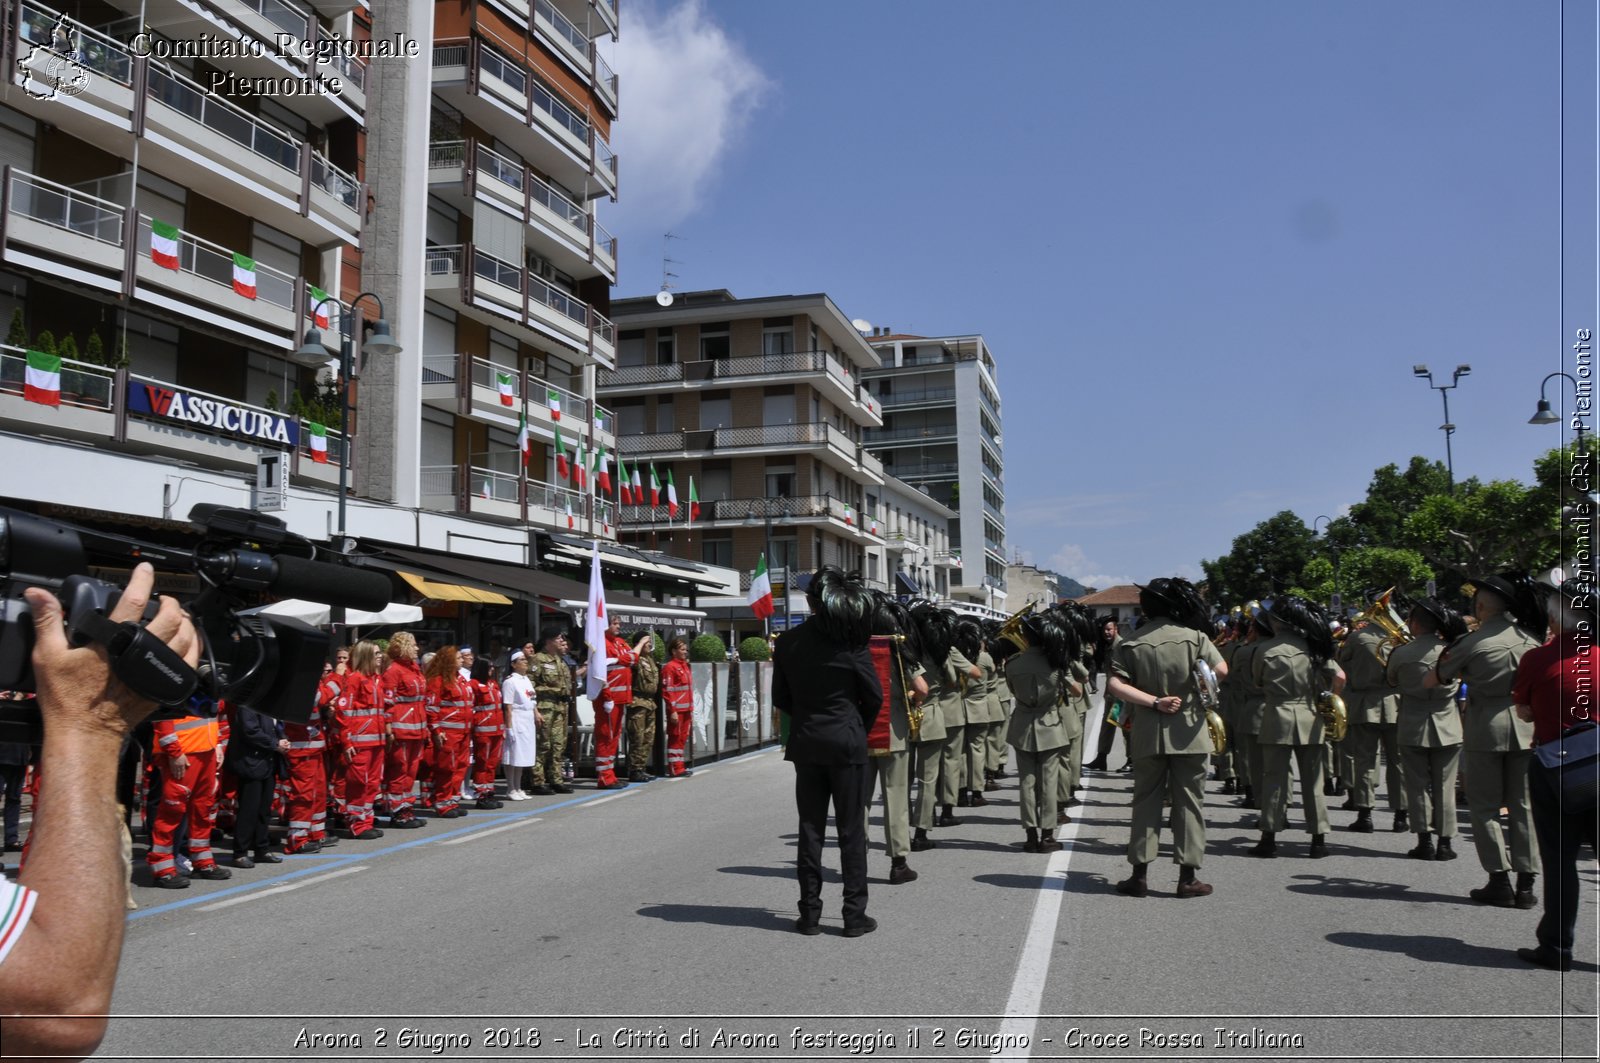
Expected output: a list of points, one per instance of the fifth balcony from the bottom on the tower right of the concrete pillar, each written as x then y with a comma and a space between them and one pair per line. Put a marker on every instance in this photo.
508, 100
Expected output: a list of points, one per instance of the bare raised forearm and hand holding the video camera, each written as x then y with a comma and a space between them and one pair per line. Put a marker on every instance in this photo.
66, 960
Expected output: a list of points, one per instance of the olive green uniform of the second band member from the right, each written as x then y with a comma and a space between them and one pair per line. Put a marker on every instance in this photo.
1430, 734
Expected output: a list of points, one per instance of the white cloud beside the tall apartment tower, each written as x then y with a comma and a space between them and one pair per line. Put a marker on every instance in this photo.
687, 94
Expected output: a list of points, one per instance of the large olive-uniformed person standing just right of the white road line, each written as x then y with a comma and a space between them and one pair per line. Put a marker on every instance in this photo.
1153, 672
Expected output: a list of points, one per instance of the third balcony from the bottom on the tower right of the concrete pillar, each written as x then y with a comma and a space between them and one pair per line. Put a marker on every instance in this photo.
495, 291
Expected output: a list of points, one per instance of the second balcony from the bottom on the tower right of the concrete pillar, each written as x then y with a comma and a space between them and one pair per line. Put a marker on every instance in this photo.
471, 387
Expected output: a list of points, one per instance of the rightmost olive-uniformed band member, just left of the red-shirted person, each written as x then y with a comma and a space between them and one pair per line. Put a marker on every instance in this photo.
1497, 744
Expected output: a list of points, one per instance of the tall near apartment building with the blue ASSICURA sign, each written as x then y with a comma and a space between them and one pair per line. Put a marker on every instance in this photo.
190, 188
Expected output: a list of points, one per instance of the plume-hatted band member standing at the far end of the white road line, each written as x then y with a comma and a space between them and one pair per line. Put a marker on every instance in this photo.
1042, 723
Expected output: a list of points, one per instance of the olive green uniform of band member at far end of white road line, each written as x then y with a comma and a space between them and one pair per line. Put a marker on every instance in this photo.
1042, 728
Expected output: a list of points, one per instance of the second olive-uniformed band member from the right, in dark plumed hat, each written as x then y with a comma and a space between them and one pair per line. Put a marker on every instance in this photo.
1430, 728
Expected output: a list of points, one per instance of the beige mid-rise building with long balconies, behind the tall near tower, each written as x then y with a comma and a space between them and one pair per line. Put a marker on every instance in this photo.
759, 403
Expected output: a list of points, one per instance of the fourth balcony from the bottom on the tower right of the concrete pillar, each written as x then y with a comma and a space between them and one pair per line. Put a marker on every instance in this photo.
466, 172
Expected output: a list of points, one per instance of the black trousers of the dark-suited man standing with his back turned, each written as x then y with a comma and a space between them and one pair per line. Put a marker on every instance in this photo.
847, 787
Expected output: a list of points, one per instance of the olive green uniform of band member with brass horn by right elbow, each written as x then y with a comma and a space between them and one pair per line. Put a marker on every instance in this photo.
1292, 728
